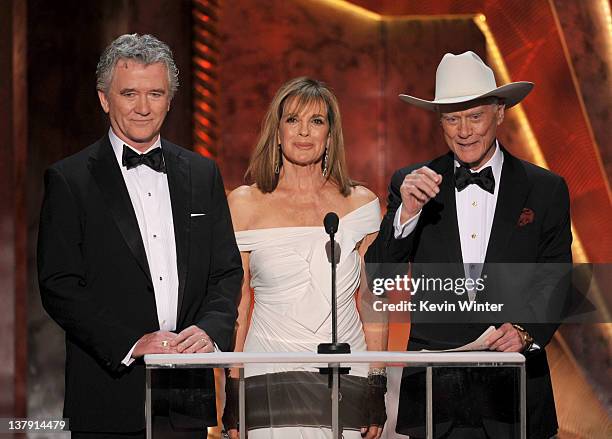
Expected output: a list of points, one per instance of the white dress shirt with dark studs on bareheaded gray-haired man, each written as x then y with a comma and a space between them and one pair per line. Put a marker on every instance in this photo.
150, 196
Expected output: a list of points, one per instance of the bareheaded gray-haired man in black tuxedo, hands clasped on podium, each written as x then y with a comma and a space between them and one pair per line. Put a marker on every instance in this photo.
136, 255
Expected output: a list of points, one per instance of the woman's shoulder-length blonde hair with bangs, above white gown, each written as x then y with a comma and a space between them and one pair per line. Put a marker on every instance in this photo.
266, 155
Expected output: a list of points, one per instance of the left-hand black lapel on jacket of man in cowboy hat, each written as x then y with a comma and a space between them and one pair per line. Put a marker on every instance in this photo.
448, 208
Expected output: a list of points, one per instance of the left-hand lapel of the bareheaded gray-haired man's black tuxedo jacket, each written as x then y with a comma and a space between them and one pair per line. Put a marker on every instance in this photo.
107, 174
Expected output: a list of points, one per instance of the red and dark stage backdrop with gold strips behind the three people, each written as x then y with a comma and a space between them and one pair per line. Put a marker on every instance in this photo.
233, 55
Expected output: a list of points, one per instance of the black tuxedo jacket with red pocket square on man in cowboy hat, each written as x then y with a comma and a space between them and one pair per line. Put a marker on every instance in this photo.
436, 240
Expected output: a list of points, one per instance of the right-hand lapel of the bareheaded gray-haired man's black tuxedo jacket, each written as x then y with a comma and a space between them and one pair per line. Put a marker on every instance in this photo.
179, 184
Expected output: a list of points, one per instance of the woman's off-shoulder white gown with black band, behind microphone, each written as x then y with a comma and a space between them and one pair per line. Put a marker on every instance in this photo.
291, 277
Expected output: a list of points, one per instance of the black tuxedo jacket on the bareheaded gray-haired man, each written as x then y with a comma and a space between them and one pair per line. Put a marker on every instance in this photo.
95, 280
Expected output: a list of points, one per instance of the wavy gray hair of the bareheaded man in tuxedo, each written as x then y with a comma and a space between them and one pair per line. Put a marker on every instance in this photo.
144, 49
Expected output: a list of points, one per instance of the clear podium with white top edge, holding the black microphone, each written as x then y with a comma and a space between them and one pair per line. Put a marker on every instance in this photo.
426, 360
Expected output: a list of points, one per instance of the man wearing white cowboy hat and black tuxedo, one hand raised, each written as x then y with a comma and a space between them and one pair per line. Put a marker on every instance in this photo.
477, 205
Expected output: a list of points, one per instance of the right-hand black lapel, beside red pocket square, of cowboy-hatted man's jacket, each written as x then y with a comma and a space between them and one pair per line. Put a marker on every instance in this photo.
513, 191
